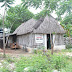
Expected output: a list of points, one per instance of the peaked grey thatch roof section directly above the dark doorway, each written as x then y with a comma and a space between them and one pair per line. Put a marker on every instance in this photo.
49, 25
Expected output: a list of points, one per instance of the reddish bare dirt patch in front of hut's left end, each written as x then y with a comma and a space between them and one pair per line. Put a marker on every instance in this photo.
15, 52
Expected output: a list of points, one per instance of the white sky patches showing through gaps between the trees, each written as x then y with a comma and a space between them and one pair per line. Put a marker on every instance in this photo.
33, 10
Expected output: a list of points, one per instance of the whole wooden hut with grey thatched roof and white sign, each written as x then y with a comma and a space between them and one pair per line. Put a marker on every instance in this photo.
37, 33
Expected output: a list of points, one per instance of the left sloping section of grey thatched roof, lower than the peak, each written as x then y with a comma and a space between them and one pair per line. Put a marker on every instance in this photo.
25, 28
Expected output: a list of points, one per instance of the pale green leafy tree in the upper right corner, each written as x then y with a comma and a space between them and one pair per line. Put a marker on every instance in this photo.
65, 7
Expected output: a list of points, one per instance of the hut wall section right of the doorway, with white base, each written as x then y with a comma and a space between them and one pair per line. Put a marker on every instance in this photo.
58, 42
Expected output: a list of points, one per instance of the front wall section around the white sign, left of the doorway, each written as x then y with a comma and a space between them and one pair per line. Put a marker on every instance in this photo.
34, 44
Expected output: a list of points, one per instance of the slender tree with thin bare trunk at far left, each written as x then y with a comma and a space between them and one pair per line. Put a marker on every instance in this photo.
6, 4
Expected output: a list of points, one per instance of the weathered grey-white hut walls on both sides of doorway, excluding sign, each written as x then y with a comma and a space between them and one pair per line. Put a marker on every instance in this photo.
29, 40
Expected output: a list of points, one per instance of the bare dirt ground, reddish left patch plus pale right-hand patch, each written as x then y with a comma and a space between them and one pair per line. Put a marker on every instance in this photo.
21, 52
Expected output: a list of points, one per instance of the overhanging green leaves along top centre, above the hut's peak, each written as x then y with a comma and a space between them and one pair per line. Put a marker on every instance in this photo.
48, 5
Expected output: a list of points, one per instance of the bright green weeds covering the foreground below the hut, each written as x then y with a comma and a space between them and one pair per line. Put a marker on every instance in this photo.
44, 63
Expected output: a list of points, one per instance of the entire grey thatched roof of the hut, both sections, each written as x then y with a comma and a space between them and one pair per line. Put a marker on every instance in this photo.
45, 25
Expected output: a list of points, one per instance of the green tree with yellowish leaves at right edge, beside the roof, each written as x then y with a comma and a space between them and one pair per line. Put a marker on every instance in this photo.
67, 24
